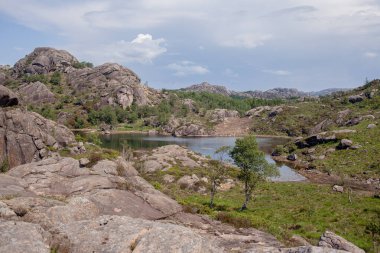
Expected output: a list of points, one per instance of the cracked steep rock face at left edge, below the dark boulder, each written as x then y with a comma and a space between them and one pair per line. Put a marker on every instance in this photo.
27, 137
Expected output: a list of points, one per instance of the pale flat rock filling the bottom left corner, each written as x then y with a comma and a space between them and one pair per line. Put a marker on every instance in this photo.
20, 237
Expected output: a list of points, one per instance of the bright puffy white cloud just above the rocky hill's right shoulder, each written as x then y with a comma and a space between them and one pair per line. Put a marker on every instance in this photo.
142, 49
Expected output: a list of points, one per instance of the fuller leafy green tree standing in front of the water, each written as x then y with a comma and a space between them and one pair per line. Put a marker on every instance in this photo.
253, 166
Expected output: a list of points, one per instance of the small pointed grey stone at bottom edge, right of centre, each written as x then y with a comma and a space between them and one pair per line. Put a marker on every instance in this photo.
331, 240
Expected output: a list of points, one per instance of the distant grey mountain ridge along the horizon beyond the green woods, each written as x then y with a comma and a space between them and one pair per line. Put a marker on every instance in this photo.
282, 93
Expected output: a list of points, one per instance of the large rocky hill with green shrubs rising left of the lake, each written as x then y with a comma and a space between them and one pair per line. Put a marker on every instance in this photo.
54, 80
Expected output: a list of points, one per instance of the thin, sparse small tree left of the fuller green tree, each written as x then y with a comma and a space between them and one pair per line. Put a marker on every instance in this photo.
217, 171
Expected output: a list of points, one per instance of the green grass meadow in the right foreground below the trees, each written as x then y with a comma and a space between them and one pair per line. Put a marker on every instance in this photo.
285, 209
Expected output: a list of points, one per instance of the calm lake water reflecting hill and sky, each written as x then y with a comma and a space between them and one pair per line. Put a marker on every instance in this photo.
203, 145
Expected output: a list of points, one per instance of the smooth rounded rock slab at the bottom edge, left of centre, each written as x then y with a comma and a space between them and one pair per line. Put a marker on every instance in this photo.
103, 235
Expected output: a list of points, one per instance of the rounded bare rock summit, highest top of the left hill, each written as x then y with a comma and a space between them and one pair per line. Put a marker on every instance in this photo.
44, 60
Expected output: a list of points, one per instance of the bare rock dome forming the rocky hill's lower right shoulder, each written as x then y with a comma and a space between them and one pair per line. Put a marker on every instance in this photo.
115, 84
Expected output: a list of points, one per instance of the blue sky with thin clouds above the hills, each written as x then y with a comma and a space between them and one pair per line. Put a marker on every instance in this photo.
241, 44
